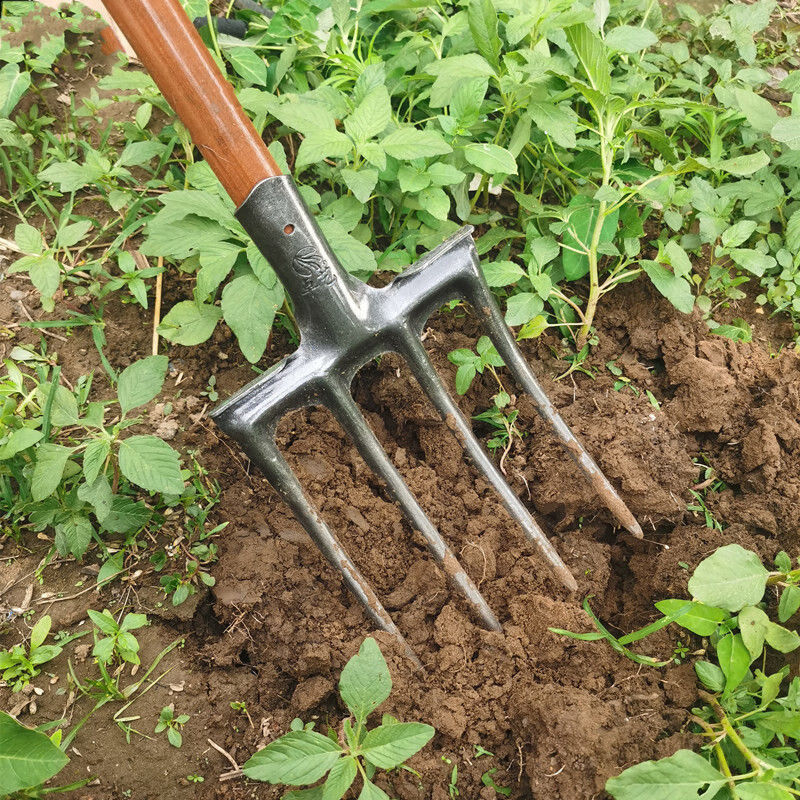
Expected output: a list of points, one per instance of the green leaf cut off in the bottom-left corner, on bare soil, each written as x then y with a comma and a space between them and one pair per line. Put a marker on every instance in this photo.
27, 757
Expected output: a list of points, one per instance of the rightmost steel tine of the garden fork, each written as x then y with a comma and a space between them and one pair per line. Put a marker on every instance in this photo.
509, 351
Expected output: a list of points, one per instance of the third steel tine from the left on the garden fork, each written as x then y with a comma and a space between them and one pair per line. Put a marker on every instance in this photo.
432, 385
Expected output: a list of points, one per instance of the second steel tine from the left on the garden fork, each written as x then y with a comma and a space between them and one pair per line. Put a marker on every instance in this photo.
351, 419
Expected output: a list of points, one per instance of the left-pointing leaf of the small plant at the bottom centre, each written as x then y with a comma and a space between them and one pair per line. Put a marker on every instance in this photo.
297, 758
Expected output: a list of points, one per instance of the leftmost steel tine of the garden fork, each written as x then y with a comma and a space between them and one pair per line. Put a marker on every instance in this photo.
285, 482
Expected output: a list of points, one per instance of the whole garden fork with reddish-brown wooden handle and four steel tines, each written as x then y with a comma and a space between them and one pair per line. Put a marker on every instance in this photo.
343, 323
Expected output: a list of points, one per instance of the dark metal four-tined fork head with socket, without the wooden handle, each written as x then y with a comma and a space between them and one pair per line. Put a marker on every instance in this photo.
343, 324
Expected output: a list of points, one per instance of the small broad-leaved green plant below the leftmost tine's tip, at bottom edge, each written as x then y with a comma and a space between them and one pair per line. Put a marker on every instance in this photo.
303, 756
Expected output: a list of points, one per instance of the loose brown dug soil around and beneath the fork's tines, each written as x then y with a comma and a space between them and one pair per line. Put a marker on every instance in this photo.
559, 716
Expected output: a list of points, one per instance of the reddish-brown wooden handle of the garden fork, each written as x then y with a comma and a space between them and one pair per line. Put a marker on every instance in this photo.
180, 64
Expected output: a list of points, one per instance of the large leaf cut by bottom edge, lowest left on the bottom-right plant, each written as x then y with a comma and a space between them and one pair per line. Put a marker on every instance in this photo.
678, 777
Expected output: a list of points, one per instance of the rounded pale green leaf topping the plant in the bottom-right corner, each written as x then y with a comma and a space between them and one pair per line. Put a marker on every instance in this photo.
730, 578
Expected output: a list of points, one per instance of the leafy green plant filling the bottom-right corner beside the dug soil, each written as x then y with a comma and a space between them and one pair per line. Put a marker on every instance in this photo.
749, 717
